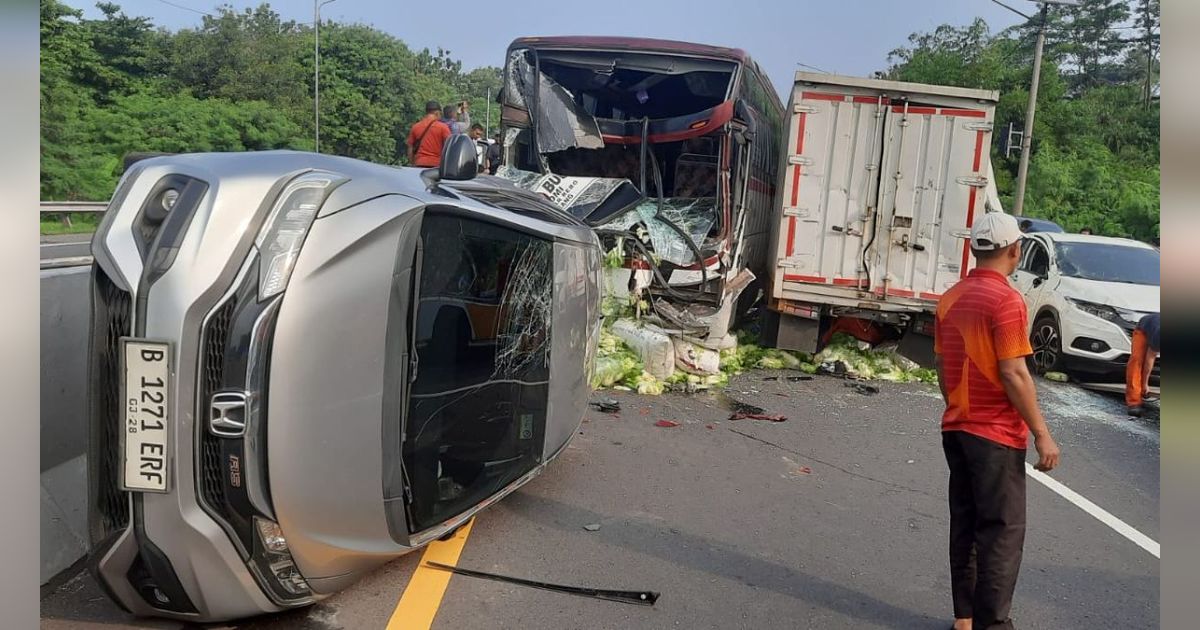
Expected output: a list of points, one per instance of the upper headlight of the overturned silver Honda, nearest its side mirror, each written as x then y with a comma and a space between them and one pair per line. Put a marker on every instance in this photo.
287, 226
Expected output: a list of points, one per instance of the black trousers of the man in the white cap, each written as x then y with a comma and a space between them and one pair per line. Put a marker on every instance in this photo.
987, 527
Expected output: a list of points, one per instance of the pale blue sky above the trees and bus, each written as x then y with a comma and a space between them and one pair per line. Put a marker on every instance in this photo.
839, 37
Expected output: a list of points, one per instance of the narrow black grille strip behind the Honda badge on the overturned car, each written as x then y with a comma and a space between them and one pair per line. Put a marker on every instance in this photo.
217, 333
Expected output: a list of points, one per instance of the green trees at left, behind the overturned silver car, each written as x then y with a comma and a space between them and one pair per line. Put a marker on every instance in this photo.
241, 81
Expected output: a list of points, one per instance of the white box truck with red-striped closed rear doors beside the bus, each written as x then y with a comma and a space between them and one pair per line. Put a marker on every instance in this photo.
880, 184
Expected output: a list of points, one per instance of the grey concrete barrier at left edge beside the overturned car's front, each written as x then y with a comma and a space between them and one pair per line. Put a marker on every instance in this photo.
65, 303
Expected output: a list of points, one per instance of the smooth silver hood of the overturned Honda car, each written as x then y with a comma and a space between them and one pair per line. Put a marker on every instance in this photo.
328, 391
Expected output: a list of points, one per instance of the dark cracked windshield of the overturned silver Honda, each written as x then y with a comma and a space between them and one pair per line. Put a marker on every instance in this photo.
477, 410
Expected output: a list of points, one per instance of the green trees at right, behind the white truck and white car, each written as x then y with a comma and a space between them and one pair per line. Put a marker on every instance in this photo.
1096, 149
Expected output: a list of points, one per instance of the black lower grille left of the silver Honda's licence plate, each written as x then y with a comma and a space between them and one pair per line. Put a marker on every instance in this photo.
111, 321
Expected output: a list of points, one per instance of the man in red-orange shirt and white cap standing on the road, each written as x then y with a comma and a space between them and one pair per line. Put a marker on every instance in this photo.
981, 339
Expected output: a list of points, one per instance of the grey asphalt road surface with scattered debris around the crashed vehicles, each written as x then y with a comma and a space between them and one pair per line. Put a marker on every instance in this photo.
833, 519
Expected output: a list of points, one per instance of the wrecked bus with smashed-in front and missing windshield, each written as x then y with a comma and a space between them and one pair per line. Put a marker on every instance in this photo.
669, 151
